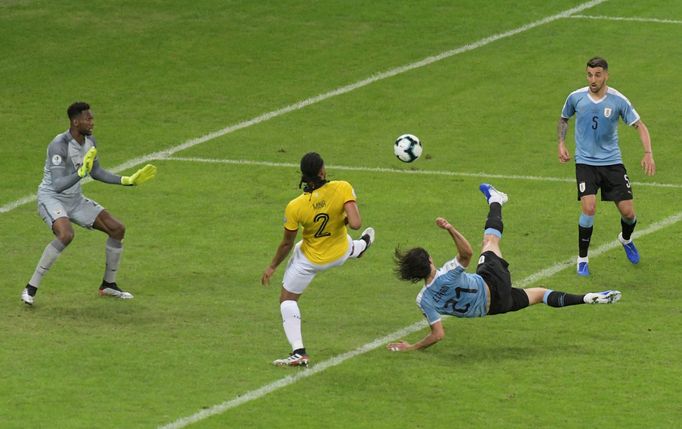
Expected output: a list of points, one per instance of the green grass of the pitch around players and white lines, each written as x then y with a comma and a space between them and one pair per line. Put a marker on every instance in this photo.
201, 330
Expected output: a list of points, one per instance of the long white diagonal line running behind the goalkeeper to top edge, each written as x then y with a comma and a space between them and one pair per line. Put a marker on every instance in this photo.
333, 93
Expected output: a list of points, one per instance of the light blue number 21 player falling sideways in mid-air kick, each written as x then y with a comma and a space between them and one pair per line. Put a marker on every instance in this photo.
451, 291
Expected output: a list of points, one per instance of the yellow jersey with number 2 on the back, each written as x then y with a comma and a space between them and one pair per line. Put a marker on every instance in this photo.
323, 218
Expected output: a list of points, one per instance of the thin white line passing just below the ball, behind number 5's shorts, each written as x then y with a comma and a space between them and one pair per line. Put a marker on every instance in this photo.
401, 171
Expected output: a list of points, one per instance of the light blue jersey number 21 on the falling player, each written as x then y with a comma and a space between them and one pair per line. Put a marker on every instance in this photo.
453, 292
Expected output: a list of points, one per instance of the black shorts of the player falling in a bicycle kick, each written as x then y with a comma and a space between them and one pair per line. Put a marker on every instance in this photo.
503, 297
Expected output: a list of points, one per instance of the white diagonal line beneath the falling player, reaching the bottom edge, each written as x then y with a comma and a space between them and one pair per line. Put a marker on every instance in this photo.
336, 360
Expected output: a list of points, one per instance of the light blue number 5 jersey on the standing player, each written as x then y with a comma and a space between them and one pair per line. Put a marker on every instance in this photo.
596, 125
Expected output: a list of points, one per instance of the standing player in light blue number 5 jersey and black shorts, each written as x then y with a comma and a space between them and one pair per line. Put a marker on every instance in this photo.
598, 162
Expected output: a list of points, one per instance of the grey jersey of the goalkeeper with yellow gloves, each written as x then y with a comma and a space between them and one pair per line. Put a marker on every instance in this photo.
64, 158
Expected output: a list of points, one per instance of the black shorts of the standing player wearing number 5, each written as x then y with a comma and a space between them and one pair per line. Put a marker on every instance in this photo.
612, 179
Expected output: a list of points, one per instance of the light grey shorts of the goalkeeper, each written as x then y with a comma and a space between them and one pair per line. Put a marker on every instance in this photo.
79, 209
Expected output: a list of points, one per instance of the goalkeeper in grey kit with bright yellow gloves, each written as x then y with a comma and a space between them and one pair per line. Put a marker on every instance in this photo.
71, 157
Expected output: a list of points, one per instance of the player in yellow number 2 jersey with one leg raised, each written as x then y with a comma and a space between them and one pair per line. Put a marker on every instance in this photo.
323, 210
